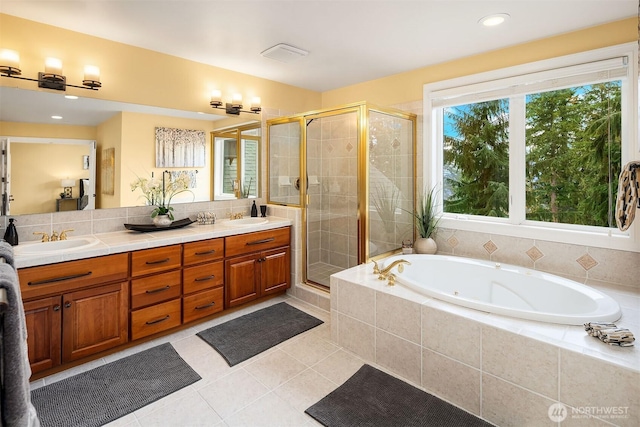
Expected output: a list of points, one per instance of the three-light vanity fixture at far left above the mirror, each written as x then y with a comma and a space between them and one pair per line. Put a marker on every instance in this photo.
52, 77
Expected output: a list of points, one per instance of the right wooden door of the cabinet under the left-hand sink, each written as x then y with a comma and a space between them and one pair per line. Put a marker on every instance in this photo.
94, 320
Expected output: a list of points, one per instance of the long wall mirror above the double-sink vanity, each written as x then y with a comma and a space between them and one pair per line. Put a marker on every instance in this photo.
125, 148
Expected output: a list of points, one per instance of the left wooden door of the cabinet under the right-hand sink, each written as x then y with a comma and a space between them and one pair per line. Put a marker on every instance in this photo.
241, 279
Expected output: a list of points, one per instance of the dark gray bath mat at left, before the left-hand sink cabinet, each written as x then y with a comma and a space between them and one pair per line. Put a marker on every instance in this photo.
106, 393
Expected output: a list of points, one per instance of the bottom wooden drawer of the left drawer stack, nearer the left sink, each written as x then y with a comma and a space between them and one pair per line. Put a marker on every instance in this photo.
154, 319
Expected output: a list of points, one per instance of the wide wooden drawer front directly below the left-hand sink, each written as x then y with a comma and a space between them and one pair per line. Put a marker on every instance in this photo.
71, 275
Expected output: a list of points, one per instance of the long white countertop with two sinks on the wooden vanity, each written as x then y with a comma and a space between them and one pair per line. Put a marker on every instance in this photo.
125, 241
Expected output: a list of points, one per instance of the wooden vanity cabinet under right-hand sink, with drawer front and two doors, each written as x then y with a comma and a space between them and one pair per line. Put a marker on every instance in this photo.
264, 269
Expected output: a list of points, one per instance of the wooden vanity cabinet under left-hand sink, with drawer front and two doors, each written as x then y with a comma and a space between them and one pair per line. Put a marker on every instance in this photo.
74, 309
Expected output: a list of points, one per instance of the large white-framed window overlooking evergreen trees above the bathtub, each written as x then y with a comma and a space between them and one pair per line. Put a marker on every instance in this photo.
535, 146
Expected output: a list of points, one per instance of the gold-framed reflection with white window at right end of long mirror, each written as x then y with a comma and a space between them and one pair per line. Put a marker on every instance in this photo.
236, 162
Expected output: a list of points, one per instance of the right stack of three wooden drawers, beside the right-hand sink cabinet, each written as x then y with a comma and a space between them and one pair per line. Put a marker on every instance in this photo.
202, 279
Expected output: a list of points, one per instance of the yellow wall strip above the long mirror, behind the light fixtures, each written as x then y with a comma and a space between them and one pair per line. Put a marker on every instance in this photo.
135, 75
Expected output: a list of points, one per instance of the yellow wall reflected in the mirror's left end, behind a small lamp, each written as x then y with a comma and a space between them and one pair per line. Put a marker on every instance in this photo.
37, 192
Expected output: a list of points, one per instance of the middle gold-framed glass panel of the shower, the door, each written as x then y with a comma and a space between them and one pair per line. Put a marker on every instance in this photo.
331, 211
